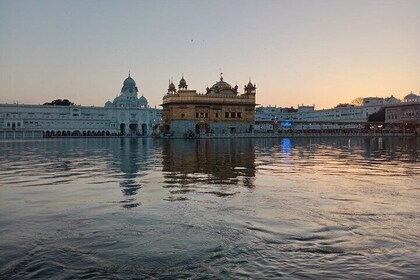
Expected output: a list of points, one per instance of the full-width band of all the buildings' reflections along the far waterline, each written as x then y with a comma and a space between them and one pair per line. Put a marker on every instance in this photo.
207, 165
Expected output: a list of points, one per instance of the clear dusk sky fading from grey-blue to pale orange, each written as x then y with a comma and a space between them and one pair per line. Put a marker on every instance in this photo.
321, 52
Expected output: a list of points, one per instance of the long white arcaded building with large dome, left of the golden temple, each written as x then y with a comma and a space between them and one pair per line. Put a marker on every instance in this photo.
128, 114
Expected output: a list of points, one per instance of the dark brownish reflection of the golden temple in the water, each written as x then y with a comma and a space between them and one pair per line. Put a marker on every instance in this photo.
217, 161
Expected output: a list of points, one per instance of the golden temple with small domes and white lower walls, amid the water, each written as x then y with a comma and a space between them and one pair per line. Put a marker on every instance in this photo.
220, 110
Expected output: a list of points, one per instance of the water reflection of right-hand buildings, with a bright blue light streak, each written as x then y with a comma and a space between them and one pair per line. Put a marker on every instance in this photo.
338, 156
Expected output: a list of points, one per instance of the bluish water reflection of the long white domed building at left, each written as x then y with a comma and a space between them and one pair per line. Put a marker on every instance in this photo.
100, 162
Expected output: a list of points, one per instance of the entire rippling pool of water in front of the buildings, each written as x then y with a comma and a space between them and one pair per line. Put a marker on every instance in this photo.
229, 208
